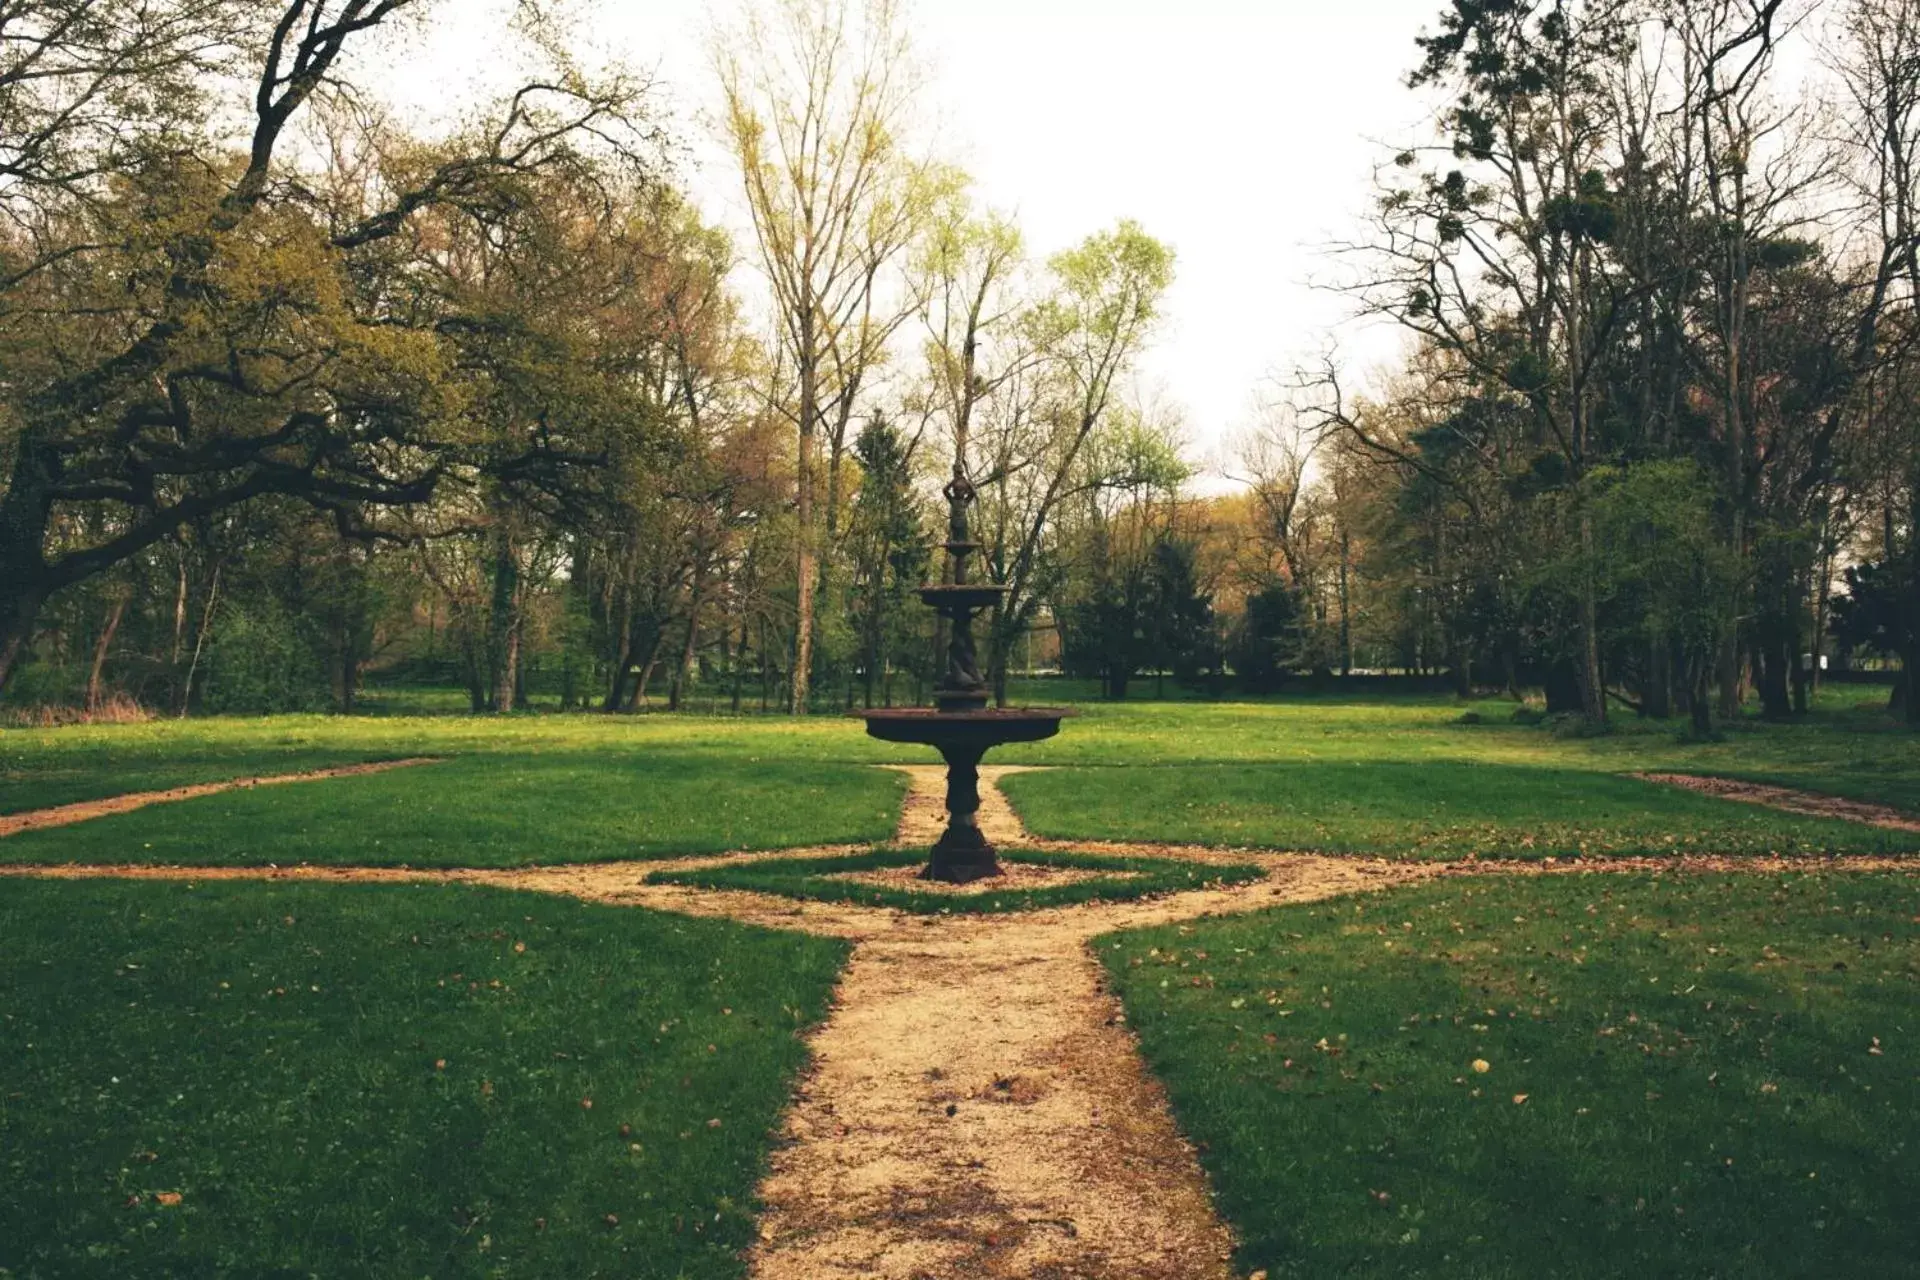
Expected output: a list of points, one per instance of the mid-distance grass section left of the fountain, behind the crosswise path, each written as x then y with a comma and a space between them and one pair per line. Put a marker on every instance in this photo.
492, 811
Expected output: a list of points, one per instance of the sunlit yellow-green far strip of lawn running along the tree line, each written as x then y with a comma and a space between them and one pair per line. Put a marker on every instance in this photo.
1848, 746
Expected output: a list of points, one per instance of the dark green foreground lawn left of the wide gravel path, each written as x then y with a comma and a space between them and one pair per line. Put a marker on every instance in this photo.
272, 1058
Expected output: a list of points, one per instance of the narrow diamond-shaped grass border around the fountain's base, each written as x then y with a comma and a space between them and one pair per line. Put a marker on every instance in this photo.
811, 878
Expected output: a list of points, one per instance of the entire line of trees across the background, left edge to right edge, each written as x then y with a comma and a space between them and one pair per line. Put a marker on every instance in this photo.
295, 394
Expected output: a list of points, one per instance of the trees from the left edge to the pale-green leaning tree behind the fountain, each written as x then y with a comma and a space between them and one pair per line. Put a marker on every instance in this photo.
310, 396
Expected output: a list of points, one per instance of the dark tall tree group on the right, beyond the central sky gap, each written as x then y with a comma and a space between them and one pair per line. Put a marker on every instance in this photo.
1656, 439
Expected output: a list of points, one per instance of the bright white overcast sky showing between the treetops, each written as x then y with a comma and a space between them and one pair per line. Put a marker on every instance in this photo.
1243, 133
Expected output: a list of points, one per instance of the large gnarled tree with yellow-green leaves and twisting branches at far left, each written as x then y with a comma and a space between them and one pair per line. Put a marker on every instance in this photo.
195, 333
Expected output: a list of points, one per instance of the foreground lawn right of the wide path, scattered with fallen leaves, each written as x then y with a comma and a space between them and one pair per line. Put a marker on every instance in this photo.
1552, 1078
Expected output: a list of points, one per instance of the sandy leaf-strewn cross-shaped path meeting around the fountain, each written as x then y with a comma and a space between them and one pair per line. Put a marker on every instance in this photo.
976, 1102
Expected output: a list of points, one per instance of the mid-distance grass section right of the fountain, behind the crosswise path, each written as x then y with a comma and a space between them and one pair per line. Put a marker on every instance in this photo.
1435, 809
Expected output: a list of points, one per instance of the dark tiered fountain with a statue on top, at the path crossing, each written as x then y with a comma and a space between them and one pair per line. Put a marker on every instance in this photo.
959, 724
